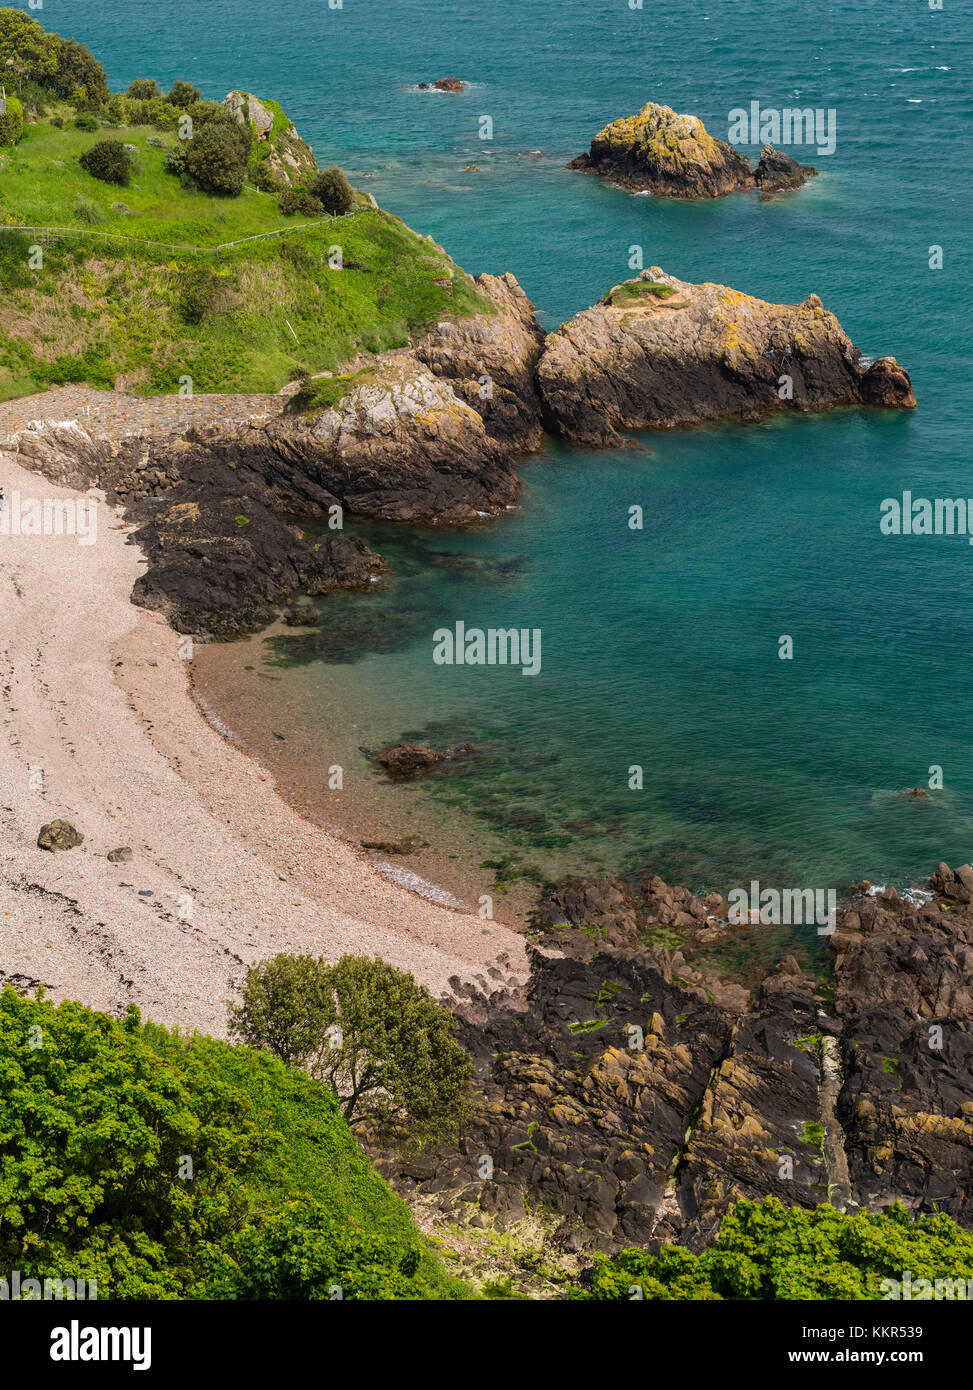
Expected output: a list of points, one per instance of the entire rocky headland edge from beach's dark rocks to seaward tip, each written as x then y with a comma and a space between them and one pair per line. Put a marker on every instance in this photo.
432, 433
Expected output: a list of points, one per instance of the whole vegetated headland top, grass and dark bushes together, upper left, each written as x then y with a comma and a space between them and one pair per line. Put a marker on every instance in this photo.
115, 300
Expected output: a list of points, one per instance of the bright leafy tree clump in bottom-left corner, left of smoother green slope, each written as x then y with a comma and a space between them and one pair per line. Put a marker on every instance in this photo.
95, 1128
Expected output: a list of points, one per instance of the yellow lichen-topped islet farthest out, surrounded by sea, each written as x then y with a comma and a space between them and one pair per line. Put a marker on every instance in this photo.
661, 152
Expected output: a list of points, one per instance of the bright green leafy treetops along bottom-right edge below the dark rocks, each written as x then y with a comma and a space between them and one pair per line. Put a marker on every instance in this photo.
771, 1252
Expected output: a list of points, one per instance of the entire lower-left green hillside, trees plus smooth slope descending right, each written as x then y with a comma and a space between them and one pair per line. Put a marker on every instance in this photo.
170, 1167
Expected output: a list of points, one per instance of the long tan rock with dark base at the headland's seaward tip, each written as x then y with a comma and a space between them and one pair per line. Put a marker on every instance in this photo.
660, 352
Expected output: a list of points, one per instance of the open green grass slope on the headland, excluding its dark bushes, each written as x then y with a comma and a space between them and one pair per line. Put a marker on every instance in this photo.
113, 313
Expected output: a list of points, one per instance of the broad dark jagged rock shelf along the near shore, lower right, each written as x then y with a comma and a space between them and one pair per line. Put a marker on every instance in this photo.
633, 1102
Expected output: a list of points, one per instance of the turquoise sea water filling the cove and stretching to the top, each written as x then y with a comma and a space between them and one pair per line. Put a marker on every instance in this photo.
661, 646
